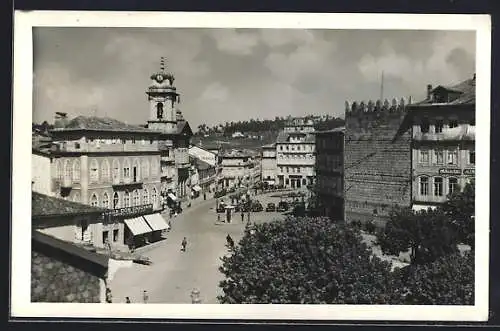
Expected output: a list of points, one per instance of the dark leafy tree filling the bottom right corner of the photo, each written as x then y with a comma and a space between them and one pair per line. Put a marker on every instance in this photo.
447, 281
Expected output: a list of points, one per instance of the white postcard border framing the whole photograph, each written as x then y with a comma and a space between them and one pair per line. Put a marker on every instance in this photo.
21, 192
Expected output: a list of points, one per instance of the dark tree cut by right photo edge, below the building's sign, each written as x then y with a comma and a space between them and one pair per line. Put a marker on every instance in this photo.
460, 209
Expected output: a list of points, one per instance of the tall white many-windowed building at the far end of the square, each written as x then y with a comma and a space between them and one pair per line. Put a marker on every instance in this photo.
295, 154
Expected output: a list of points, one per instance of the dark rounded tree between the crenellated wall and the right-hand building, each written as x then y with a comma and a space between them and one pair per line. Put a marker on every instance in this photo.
427, 234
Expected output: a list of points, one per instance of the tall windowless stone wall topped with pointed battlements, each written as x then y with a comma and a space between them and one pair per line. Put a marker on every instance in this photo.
377, 160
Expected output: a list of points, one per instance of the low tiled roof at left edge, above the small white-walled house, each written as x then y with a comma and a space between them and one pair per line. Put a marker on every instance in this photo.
43, 206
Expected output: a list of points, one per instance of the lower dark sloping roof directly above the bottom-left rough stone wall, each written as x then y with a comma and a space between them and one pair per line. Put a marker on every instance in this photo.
43, 239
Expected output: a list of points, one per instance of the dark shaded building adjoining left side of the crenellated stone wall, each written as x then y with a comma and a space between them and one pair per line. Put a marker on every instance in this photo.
329, 187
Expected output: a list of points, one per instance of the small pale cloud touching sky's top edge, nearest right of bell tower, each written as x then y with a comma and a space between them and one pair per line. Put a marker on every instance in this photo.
234, 42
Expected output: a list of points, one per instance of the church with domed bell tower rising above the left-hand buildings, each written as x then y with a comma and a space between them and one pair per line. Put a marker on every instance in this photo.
174, 140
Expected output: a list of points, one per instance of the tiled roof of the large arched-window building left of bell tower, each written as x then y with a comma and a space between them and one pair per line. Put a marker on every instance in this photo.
92, 123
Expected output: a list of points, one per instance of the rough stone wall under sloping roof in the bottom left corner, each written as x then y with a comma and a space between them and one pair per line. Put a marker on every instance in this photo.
59, 278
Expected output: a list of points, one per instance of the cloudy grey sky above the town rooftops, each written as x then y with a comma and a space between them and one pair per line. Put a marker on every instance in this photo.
237, 74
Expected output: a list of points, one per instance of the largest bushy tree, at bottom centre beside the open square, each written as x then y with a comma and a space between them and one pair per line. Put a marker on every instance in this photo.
305, 260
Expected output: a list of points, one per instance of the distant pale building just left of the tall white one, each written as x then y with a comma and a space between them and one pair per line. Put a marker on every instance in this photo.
237, 168
